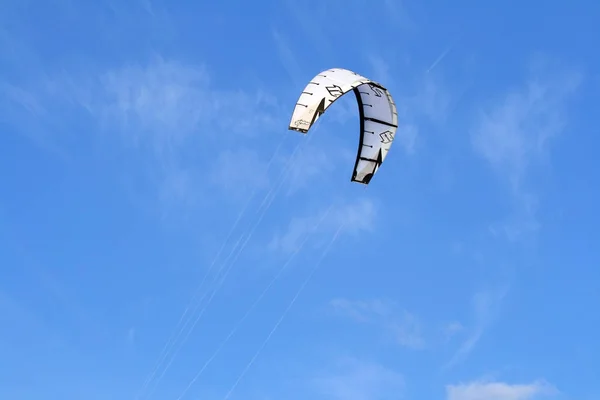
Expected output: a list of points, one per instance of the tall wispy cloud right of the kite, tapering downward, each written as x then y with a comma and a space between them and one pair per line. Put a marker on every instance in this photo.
513, 136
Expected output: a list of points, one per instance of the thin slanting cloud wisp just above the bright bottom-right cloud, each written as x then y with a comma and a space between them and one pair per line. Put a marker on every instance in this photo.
486, 306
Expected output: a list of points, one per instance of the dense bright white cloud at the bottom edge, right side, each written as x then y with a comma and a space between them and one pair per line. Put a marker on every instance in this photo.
499, 391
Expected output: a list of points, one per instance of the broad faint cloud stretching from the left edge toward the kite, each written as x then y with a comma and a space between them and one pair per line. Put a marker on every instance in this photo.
169, 113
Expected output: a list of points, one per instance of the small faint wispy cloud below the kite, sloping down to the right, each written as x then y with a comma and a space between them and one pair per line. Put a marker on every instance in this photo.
401, 326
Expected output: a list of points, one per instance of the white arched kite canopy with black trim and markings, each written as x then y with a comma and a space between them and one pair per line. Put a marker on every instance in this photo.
376, 108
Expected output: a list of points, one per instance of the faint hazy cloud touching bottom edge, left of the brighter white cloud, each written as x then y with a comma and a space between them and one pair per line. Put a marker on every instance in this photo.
351, 379
